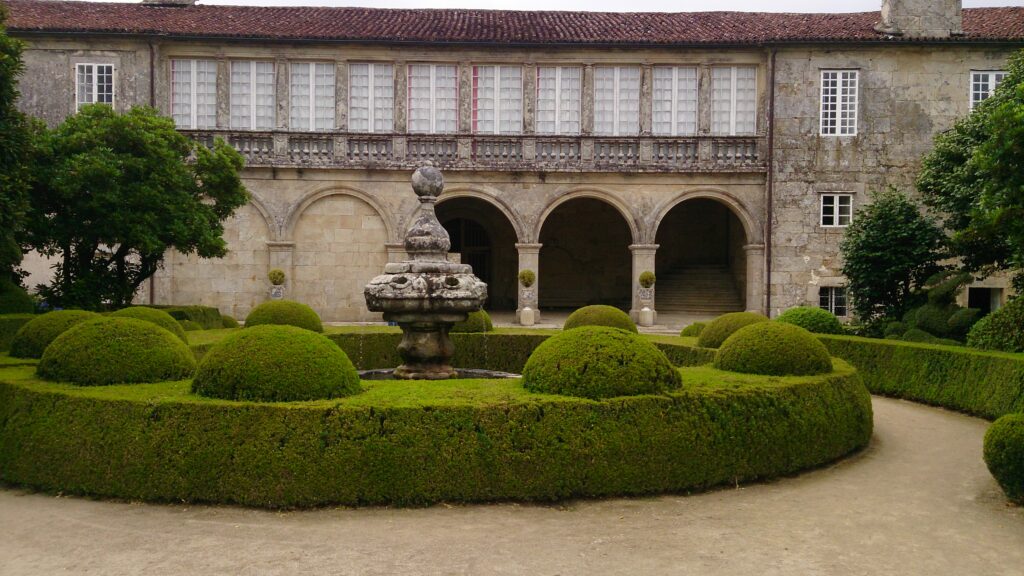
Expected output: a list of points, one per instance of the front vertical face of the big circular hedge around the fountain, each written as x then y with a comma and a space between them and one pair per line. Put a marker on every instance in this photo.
548, 449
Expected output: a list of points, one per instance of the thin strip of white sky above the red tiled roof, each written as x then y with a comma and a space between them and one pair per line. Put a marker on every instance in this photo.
613, 6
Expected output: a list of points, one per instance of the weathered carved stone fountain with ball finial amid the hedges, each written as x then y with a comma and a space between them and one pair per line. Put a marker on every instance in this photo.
428, 295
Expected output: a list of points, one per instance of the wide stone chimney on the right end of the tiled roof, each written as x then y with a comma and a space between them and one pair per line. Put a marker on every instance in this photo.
921, 19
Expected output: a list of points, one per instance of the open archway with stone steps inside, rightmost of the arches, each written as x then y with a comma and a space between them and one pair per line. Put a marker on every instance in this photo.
701, 262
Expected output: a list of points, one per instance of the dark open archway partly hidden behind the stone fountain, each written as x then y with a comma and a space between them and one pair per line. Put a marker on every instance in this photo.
484, 238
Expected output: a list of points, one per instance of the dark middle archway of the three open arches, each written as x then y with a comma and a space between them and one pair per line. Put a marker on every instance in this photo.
585, 257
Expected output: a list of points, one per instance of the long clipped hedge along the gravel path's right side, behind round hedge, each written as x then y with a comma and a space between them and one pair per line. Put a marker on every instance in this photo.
989, 385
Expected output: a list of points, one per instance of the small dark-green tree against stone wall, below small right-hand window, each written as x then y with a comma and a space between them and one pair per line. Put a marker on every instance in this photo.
889, 251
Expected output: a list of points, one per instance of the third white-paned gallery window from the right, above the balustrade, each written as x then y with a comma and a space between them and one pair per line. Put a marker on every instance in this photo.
617, 101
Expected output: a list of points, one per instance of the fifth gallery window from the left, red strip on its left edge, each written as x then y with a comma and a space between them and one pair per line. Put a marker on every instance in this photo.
434, 98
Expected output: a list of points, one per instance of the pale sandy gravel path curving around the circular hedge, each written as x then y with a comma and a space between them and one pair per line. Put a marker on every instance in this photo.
918, 502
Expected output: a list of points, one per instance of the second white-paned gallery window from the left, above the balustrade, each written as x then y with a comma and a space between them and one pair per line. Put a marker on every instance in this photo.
252, 96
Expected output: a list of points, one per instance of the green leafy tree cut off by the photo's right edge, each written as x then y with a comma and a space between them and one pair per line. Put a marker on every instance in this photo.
973, 180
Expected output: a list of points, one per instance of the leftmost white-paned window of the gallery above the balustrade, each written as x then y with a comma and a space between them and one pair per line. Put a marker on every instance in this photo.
194, 94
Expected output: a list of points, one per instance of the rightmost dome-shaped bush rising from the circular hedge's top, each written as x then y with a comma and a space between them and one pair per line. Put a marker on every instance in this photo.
774, 349
